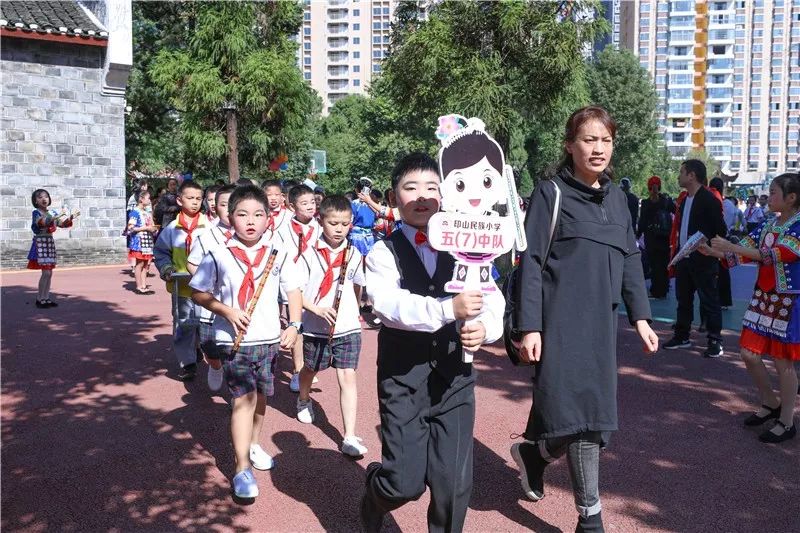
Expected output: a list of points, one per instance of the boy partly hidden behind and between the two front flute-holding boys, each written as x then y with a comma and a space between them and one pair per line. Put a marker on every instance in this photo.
296, 237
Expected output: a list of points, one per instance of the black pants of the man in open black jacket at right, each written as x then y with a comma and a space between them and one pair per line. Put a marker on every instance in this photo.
691, 277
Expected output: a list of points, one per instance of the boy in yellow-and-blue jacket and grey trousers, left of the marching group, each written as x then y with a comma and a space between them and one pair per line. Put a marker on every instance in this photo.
171, 253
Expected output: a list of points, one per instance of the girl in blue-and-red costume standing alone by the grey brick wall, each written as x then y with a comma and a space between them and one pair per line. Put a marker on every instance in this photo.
42, 255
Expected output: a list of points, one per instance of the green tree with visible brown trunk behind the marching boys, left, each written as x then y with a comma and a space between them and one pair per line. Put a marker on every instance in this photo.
233, 80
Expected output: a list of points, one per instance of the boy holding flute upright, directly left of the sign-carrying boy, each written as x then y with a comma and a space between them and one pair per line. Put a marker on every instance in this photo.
332, 337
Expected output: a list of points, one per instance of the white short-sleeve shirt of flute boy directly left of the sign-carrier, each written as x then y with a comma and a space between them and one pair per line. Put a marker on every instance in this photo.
314, 267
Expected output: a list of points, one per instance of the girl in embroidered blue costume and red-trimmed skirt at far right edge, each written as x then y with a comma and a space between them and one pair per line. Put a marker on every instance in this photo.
771, 325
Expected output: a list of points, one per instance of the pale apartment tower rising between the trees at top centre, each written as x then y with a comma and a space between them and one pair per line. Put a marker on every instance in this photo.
342, 43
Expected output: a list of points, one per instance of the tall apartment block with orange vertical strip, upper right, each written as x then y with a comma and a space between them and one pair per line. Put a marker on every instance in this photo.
727, 75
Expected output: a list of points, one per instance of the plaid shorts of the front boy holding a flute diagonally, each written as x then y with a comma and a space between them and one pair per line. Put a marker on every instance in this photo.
252, 369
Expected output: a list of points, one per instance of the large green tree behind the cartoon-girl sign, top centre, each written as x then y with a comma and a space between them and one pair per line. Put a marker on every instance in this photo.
505, 62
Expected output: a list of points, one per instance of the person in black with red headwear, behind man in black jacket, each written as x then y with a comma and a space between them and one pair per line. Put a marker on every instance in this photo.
655, 223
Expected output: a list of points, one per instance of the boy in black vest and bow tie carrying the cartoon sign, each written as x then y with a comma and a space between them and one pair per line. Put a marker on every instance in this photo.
426, 392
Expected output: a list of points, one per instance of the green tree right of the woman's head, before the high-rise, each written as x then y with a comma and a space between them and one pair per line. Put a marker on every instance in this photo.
618, 83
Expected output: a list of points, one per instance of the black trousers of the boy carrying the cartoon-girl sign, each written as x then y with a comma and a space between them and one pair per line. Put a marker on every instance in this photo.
427, 440
